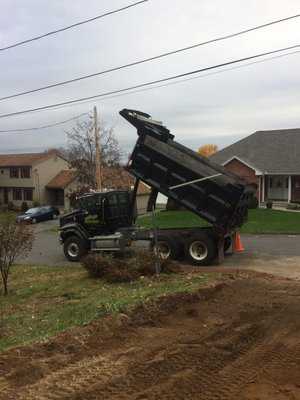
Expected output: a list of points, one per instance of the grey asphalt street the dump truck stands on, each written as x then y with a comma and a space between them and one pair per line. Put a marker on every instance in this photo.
275, 254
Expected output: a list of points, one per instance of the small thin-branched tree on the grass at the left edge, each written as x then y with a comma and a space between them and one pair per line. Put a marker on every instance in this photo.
16, 239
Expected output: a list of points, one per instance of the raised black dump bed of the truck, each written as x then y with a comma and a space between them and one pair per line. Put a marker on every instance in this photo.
197, 183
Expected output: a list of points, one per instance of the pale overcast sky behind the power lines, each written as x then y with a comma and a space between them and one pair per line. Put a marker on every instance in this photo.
218, 106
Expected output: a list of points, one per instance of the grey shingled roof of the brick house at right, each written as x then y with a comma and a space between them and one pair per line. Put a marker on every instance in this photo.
271, 152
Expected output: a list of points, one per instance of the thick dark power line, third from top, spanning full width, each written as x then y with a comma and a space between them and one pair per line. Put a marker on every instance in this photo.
148, 83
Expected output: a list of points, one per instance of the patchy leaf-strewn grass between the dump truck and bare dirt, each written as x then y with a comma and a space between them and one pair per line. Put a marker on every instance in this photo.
44, 301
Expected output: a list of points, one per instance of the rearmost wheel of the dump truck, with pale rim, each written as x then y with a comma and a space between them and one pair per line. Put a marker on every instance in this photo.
200, 250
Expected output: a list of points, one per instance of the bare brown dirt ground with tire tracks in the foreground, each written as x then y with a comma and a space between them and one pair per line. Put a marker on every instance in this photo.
239, 339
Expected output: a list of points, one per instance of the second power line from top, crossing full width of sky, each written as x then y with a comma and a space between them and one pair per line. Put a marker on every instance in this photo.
150, 58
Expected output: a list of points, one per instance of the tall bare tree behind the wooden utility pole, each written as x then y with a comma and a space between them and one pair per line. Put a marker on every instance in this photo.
81, 149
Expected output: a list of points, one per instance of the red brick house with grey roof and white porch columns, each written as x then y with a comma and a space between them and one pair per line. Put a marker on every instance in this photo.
271, 160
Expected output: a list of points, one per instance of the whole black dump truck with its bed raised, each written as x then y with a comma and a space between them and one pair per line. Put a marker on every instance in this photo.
105, 221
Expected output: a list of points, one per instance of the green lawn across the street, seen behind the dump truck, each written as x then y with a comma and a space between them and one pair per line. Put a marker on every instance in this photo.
260, 221
